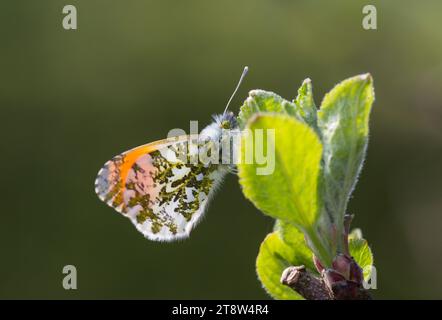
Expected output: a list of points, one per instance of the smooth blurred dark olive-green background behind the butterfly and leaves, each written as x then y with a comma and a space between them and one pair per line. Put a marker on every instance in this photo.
134, 69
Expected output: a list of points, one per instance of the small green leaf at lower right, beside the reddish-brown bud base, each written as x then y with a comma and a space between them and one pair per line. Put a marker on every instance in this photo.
361, 252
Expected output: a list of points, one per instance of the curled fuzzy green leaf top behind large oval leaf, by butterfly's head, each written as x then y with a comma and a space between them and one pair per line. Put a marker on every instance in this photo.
264, 101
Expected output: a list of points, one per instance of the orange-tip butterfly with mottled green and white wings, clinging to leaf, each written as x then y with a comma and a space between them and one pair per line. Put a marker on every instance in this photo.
164, 187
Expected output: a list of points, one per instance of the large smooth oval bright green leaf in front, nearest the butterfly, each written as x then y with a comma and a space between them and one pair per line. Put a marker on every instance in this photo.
290, 191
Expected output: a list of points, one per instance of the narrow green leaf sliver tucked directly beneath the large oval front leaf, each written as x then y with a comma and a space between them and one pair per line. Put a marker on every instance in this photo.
294, 238
